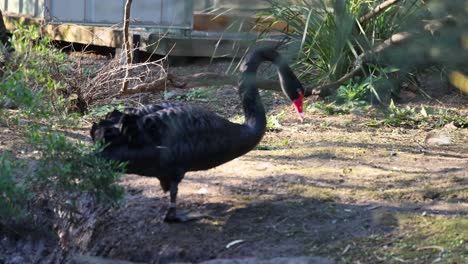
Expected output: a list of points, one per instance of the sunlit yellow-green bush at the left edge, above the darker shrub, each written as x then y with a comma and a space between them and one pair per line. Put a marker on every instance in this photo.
32, 79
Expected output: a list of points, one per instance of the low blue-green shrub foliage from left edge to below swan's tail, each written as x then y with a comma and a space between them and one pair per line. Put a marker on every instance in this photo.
65, 173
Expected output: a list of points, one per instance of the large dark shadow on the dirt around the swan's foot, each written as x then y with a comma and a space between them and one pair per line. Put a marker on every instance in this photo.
278, 226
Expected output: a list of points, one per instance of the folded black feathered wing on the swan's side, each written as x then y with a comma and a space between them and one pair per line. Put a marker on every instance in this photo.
183, 136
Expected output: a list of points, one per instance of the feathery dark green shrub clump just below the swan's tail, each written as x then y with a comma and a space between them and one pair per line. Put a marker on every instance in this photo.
68, 170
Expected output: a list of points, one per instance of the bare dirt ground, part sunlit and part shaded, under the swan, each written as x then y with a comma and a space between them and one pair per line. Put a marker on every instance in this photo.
331, 186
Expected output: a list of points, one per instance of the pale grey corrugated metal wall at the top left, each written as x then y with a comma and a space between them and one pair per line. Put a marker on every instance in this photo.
166, 13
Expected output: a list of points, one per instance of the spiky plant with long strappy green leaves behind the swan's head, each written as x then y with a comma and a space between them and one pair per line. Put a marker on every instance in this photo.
330, 36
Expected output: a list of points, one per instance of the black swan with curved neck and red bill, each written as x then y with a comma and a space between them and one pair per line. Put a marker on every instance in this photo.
166, 140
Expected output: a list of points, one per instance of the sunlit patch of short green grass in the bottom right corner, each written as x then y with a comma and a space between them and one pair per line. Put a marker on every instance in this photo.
416, 239
